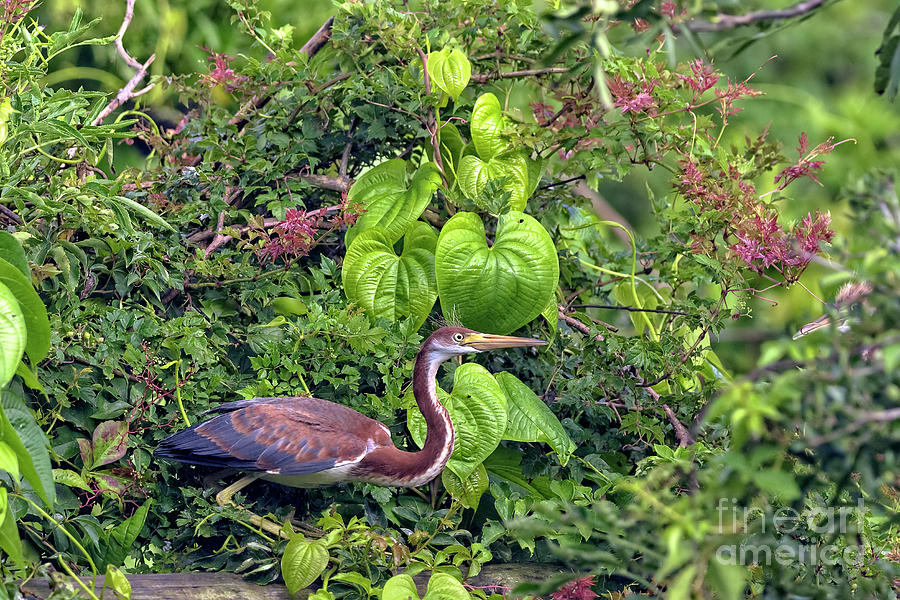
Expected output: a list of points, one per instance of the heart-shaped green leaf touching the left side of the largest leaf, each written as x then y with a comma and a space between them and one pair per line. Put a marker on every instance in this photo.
391, 286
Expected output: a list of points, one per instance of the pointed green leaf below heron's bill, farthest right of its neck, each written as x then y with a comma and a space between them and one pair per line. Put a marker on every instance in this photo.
530, 420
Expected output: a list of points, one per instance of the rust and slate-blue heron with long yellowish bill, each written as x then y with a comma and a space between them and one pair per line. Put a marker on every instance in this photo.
308, 442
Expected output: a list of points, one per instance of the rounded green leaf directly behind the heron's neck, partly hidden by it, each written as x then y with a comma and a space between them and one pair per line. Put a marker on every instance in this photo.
477, 408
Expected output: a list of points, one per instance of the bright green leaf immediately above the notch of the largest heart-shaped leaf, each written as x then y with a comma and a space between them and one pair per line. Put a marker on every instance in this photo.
512, 169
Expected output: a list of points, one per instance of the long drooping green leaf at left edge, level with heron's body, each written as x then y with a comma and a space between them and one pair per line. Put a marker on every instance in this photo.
20, 431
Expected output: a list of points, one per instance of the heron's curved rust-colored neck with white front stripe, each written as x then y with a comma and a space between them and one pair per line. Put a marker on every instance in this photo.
391, 466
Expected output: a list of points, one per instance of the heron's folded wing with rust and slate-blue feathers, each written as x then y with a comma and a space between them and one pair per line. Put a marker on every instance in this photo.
287, 436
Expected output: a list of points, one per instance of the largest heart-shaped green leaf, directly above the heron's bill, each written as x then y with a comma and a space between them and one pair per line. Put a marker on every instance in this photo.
500, 288
